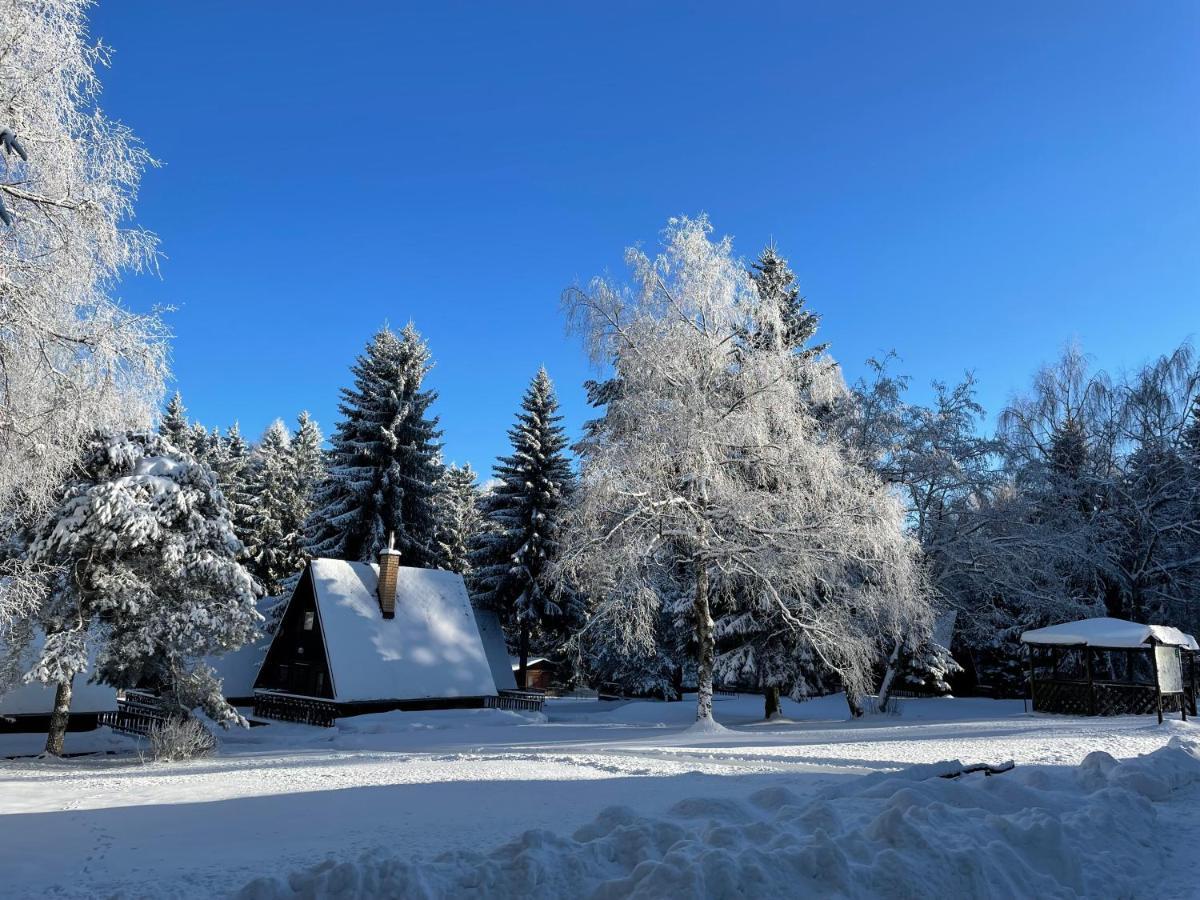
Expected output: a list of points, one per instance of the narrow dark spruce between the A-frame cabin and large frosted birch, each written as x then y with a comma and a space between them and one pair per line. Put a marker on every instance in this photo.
525, 511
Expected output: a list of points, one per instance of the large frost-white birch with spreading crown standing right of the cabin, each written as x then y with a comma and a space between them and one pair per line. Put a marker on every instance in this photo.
709, 470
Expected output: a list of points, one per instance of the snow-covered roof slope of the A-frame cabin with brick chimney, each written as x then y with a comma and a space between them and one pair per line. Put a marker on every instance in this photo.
433, 649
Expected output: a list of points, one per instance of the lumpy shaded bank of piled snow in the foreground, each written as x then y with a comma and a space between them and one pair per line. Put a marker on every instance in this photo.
1051, 832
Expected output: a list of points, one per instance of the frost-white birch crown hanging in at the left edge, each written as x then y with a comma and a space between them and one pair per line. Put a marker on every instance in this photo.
73, 359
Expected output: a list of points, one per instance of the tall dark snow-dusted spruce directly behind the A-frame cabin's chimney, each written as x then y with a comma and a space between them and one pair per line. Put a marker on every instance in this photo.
385, 460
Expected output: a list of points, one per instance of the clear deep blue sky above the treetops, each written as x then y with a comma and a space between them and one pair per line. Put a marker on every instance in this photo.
973, 185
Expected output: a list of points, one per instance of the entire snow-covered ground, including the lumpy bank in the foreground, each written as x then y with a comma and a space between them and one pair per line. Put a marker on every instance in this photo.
607, 800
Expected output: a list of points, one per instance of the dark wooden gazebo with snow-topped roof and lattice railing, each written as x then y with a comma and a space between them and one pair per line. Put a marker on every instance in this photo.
1112, 668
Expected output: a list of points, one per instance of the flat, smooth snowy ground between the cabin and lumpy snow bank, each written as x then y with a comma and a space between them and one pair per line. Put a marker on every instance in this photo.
287, 797
